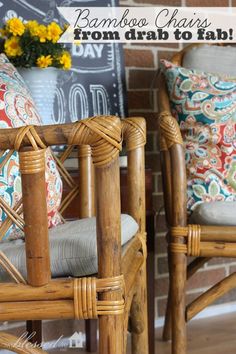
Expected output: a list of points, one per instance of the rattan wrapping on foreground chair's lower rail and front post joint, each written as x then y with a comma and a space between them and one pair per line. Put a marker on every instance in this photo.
86, 304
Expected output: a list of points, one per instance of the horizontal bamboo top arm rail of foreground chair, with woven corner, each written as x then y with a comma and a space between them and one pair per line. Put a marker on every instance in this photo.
103, 133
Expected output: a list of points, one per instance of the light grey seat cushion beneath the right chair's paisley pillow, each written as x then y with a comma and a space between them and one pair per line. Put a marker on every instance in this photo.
215, 213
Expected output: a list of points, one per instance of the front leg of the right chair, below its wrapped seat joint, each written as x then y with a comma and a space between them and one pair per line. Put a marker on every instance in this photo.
178, 281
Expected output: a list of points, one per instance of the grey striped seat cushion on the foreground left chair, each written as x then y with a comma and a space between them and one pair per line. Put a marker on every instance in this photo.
73, 249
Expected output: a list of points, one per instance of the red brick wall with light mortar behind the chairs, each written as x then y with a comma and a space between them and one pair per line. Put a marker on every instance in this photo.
141, 64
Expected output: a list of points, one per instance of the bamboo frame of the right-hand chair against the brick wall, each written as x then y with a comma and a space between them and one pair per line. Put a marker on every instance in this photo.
185, 240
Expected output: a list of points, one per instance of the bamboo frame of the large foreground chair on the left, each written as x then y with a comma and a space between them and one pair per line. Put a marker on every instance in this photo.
118, 292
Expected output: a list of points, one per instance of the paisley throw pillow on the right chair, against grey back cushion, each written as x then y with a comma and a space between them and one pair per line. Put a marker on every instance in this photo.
205, 106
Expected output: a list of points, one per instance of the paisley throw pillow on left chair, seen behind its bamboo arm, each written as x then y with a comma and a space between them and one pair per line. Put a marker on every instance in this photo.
17, 109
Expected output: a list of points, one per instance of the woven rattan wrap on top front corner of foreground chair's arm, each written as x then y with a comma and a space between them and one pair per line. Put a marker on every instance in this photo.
102, 133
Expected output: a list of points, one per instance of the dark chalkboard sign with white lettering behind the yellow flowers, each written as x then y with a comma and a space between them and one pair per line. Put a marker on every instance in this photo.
96, 82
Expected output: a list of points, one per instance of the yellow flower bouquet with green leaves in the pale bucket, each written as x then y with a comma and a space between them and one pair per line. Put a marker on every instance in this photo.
32, 44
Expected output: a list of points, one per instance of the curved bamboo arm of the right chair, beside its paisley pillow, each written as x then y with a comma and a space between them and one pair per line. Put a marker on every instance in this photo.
171, 146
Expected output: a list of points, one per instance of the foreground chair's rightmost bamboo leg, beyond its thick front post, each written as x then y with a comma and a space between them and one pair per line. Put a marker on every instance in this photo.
138, 316
